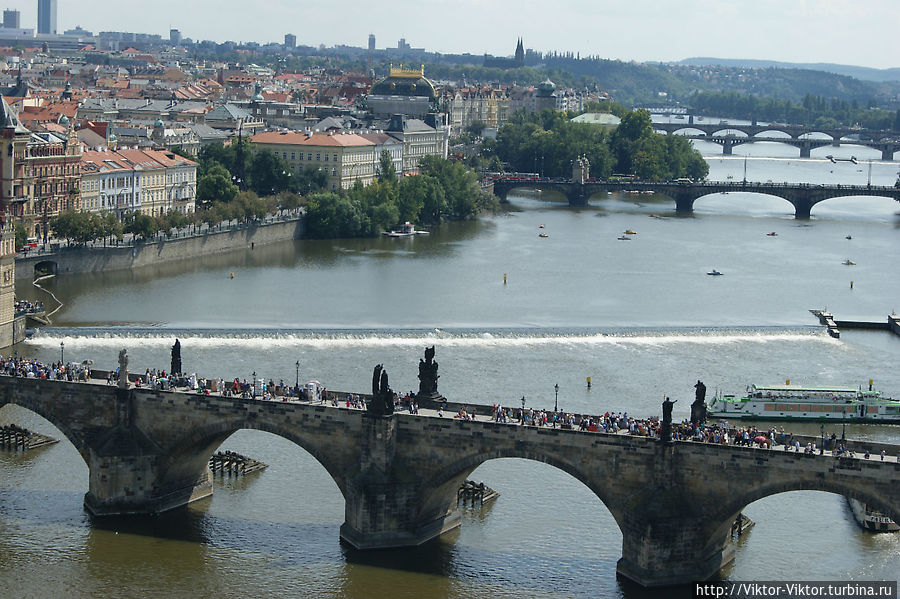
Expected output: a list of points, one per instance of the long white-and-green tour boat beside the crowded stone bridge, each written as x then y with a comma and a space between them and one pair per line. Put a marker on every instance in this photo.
795, 402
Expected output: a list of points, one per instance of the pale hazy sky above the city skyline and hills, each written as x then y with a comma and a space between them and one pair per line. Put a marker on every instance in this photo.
853, 32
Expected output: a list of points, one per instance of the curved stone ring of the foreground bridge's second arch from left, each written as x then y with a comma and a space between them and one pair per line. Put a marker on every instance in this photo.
189, 457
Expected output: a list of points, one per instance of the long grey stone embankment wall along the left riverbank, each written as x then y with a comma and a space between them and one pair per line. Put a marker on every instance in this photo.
79, 260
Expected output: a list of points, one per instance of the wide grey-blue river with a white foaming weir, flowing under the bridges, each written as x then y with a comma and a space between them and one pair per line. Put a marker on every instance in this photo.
511, 315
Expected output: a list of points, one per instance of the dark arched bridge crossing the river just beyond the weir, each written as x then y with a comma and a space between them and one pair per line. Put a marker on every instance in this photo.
803, 196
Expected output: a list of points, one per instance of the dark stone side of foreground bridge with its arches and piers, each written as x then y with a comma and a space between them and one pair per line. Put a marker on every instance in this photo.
148, 451
